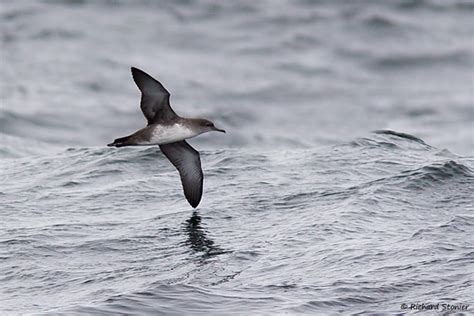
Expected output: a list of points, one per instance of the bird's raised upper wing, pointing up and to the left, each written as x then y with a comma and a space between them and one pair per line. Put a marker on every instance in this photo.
155, 102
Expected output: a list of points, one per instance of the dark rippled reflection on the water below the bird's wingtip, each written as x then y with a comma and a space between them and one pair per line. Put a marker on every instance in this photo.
198, 240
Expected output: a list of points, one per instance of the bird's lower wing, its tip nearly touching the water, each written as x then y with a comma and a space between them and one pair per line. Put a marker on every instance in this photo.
186, 159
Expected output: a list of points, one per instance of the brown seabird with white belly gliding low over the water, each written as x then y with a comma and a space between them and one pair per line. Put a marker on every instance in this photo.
169, 131
